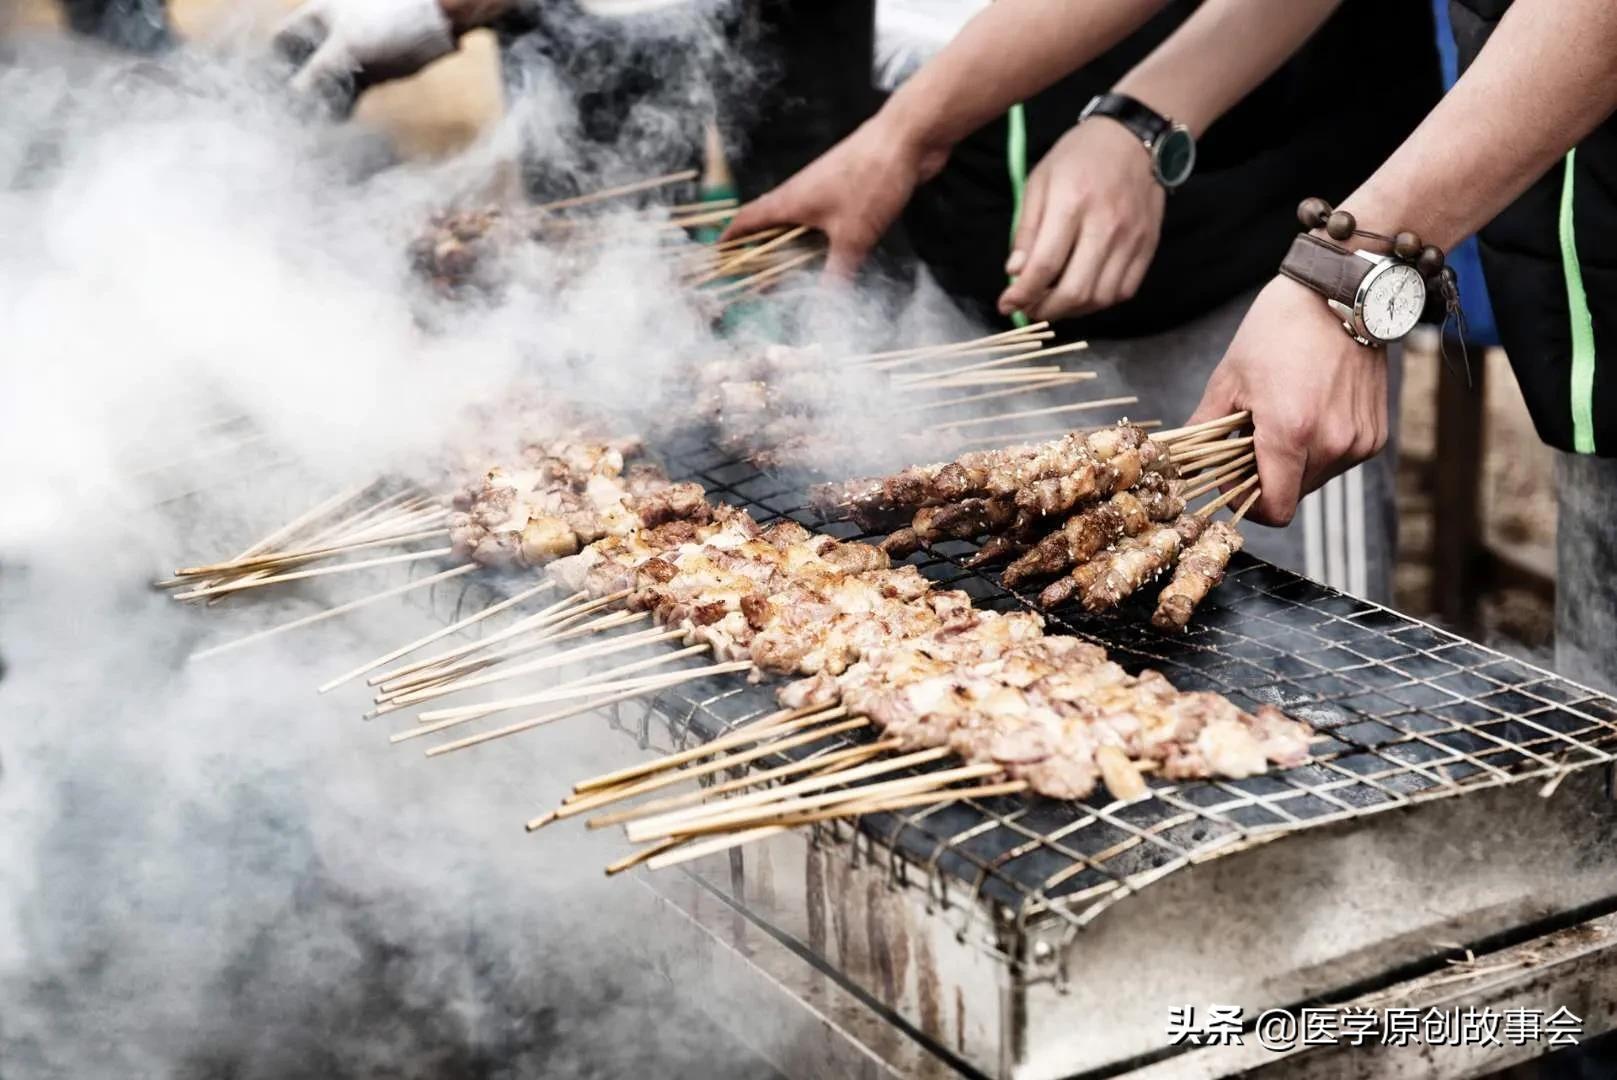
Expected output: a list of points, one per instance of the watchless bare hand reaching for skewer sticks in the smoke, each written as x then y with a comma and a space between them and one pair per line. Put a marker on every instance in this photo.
853, 193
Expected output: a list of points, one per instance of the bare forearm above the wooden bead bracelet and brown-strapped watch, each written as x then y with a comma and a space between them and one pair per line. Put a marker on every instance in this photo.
1542, 83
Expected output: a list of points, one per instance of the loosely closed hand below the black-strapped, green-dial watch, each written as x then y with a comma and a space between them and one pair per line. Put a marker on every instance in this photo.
1091, 222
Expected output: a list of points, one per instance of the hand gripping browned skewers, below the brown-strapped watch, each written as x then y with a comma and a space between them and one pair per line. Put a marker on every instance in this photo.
1319, 400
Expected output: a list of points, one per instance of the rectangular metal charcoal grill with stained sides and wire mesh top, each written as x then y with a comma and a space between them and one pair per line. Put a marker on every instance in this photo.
1036, 939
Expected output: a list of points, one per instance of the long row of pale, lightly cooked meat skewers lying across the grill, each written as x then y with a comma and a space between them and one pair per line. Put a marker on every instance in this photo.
874, 649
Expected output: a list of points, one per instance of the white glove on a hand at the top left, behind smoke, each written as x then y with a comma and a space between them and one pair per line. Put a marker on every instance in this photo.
366, 41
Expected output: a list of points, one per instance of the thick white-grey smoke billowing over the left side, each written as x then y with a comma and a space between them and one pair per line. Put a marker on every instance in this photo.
209, 323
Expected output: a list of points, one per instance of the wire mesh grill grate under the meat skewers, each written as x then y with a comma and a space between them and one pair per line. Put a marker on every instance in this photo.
1408, 714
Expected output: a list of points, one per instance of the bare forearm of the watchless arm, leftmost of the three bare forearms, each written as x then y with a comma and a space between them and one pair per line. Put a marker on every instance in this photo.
1008, 54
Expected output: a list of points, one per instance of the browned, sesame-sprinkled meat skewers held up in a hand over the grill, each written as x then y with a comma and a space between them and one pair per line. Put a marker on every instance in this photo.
1104, 513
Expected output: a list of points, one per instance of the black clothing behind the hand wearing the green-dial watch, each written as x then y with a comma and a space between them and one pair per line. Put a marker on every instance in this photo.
1317, 129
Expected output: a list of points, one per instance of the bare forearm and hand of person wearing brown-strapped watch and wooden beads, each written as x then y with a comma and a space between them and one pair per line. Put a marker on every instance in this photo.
1542, 85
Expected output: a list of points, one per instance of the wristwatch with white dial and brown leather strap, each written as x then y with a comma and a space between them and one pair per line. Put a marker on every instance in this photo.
1378, 298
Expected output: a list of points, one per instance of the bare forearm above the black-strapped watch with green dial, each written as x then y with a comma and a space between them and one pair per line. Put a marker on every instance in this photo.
1222, 54
